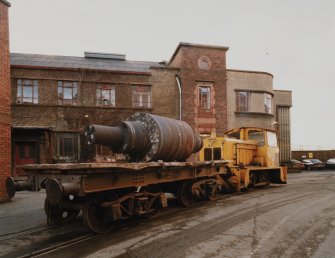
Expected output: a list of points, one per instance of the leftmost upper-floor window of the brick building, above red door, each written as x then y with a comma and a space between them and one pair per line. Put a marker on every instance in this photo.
27, 91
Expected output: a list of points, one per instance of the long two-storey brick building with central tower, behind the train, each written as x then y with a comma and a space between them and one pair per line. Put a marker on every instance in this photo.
54, 97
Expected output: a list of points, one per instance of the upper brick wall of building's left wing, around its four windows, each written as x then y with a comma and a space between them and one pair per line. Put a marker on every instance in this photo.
48, 113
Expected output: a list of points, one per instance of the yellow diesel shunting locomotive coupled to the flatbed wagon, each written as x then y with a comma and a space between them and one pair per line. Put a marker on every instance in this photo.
253, 155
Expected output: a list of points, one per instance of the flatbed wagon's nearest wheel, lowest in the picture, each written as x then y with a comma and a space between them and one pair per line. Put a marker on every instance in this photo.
96, 217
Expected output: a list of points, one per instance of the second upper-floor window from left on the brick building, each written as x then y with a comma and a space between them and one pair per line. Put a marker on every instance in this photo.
67, 92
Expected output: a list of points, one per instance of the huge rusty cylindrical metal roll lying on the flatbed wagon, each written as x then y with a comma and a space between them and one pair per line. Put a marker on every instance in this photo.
147, 137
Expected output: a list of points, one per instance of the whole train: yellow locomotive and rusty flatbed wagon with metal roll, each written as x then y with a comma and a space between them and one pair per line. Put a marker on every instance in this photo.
156, 149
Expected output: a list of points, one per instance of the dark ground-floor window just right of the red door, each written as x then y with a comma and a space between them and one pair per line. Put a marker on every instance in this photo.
67, 147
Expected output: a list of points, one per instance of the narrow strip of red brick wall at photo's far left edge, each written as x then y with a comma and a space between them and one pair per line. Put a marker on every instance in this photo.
5, 129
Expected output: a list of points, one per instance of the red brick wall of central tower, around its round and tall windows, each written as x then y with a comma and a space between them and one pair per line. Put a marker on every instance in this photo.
186, 58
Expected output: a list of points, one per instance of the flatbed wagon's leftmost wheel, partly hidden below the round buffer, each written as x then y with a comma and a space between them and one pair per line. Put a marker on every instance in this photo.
56, 215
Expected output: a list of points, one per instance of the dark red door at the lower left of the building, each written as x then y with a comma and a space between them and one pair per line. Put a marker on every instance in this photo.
25, 153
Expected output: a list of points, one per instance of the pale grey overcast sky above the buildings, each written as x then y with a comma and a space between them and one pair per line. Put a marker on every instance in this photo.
292, 39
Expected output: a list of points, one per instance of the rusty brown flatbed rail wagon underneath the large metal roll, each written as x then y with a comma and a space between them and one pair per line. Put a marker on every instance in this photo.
110, 192
